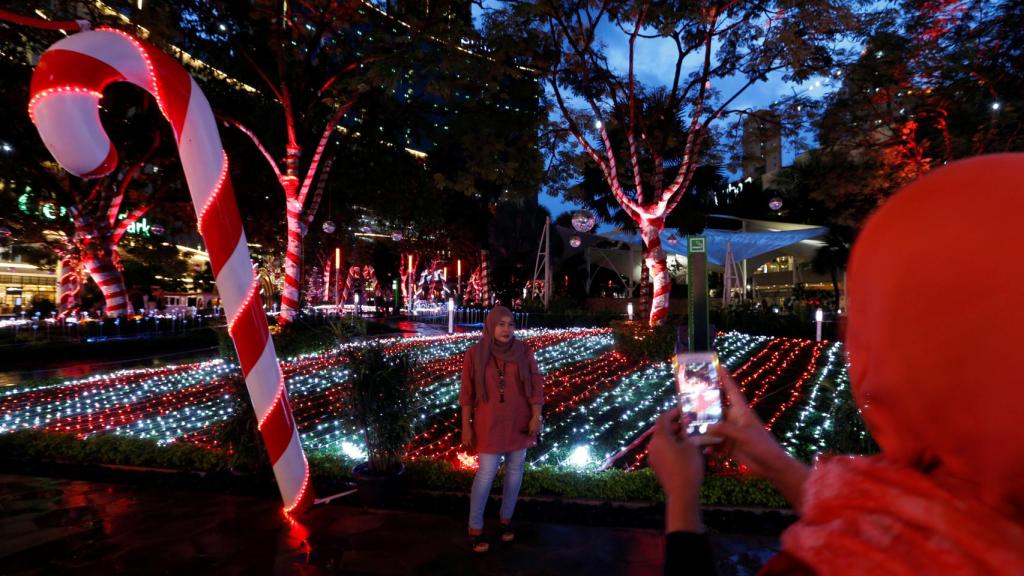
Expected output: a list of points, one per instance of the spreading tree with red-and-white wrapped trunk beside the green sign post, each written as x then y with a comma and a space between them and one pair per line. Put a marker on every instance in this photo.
664, 134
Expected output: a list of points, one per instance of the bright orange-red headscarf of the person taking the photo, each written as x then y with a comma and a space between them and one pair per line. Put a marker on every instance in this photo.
934, 339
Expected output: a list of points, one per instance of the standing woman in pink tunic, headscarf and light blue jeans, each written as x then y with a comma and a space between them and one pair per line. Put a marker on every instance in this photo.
501, 398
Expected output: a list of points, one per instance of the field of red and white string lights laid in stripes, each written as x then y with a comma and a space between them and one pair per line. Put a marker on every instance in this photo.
599, 407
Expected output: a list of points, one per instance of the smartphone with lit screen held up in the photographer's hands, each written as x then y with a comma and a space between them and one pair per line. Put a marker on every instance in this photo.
700, 393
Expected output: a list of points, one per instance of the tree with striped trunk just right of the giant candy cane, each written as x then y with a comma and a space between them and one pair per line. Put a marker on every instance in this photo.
310, 59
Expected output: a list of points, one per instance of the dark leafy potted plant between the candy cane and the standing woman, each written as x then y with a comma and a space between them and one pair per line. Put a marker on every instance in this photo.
382, 399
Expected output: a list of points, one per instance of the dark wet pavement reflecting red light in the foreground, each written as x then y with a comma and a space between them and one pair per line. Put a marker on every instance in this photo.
51, 526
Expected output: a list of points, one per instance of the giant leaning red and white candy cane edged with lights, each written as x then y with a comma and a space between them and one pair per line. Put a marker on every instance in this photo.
66, 91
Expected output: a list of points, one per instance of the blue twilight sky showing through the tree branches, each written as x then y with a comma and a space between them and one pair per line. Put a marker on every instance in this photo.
655, 65
